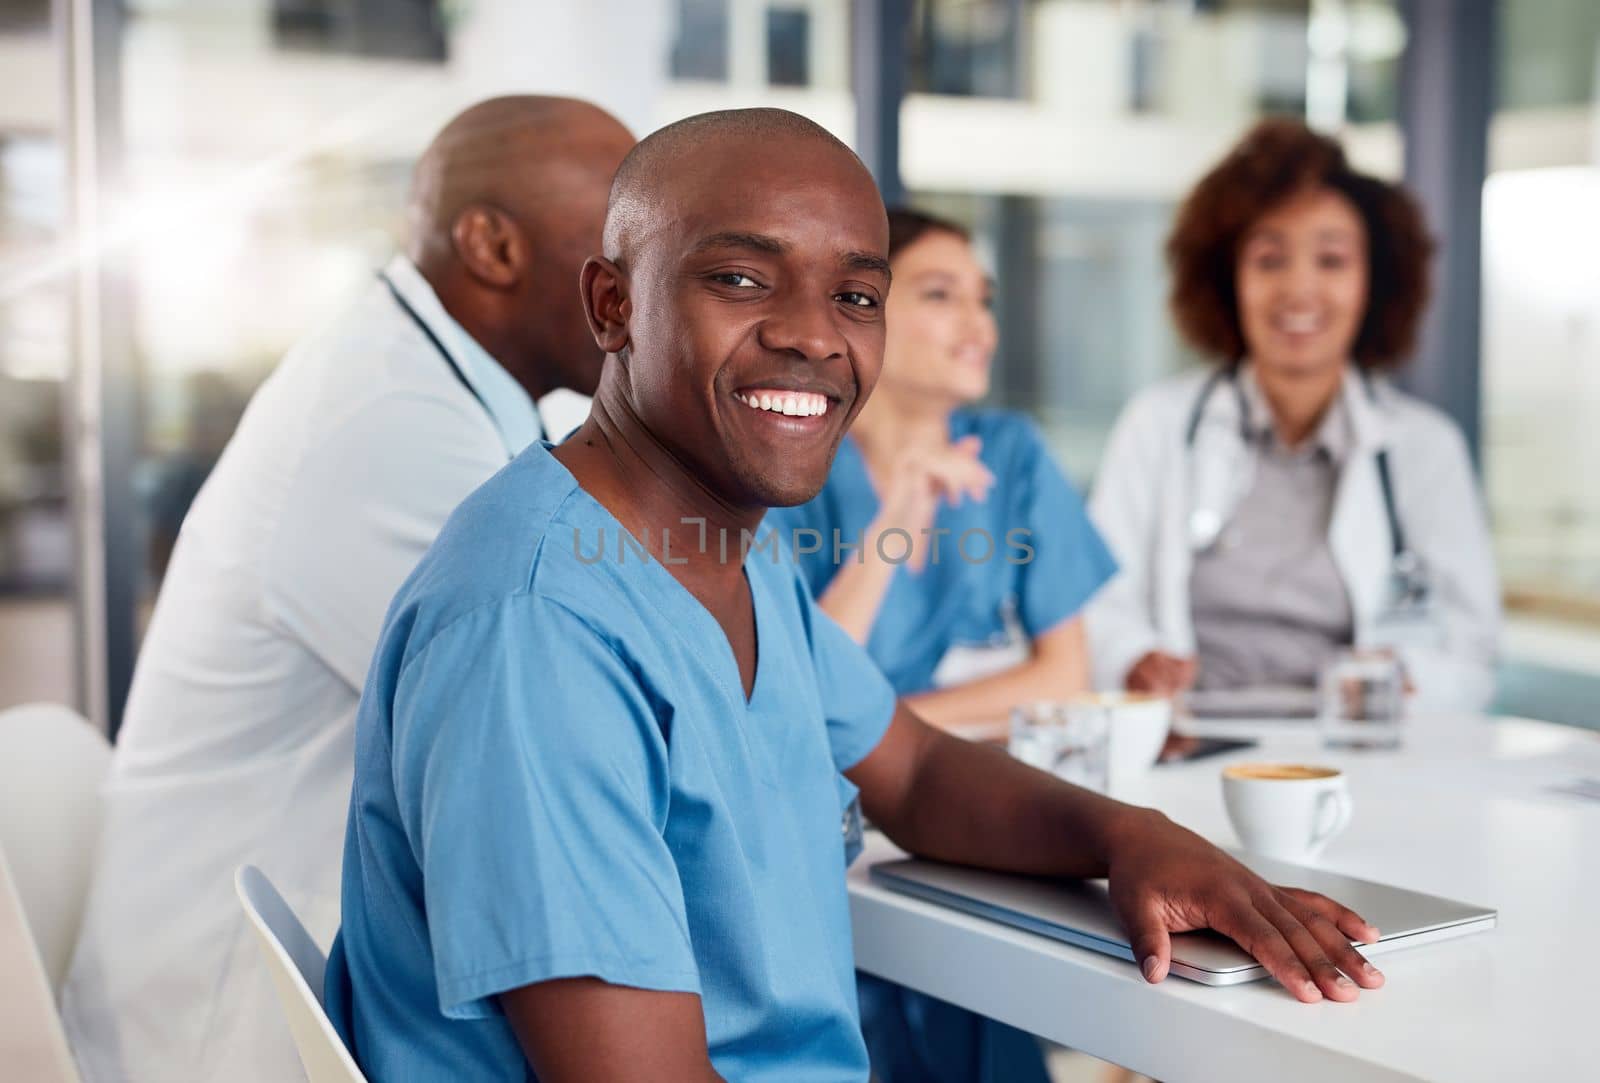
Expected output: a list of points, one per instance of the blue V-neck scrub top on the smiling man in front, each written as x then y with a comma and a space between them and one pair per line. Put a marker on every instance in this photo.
558, 775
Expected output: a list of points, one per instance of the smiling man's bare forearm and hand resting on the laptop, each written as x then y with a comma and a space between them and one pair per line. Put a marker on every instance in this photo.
942, 797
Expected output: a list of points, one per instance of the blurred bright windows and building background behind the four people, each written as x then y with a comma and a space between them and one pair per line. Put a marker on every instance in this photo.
188, 186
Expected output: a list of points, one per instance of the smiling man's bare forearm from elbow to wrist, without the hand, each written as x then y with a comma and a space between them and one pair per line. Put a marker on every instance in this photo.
977, 805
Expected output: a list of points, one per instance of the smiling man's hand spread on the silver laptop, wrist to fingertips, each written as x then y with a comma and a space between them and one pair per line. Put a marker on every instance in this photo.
1166, 879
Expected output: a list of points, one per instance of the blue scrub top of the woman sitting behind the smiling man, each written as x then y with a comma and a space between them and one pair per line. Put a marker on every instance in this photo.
964, 601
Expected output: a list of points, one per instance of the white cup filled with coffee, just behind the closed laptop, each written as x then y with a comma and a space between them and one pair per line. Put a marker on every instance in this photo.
1286, 810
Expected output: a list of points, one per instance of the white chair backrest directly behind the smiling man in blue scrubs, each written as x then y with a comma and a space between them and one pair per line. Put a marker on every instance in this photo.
297, 965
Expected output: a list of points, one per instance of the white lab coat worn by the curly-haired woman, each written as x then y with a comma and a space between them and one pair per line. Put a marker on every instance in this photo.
1151, 482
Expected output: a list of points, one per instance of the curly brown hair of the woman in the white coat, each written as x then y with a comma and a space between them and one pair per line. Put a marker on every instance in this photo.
1274, 162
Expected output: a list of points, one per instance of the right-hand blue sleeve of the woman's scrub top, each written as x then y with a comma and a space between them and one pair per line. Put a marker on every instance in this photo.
1071, 561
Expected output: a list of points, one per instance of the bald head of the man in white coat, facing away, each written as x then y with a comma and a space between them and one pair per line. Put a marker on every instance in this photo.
506, 206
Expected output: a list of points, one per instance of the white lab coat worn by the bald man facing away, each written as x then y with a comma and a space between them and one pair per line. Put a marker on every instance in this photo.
239, 733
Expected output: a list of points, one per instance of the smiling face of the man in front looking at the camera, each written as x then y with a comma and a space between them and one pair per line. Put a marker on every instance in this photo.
756, 314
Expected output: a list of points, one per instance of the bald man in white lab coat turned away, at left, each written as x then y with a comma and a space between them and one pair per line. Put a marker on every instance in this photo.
238, 738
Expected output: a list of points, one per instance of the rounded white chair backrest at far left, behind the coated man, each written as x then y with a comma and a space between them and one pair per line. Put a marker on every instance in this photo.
52, 769
